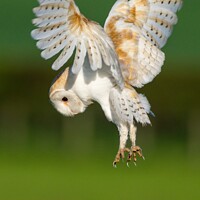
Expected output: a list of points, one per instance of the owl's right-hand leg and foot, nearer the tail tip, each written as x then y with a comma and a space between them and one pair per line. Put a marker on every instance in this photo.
134, 149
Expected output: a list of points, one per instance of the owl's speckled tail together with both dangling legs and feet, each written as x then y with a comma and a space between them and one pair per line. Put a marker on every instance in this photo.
129, 106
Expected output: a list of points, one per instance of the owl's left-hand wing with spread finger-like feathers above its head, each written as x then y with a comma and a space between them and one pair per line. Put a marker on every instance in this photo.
62, 28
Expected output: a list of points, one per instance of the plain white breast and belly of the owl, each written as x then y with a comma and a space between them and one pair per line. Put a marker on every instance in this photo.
92, 86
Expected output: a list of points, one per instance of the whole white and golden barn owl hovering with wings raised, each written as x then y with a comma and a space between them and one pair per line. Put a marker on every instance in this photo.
109, 63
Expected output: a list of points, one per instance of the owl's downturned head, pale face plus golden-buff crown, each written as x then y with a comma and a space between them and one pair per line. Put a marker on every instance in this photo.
65, 100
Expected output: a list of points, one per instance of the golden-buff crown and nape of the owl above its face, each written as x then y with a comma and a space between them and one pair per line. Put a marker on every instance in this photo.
59, 82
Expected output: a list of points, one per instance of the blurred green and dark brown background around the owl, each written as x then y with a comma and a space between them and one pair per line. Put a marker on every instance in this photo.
45, 156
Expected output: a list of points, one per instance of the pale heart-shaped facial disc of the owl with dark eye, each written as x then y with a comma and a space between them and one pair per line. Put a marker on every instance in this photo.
67, 102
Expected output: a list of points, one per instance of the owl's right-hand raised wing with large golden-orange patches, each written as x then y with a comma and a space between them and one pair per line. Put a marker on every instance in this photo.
139, 29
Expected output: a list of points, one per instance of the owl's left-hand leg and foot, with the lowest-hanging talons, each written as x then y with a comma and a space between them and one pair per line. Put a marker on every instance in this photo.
123, 132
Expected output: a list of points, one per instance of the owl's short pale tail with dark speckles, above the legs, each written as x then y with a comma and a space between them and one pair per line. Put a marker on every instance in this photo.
128, 105
